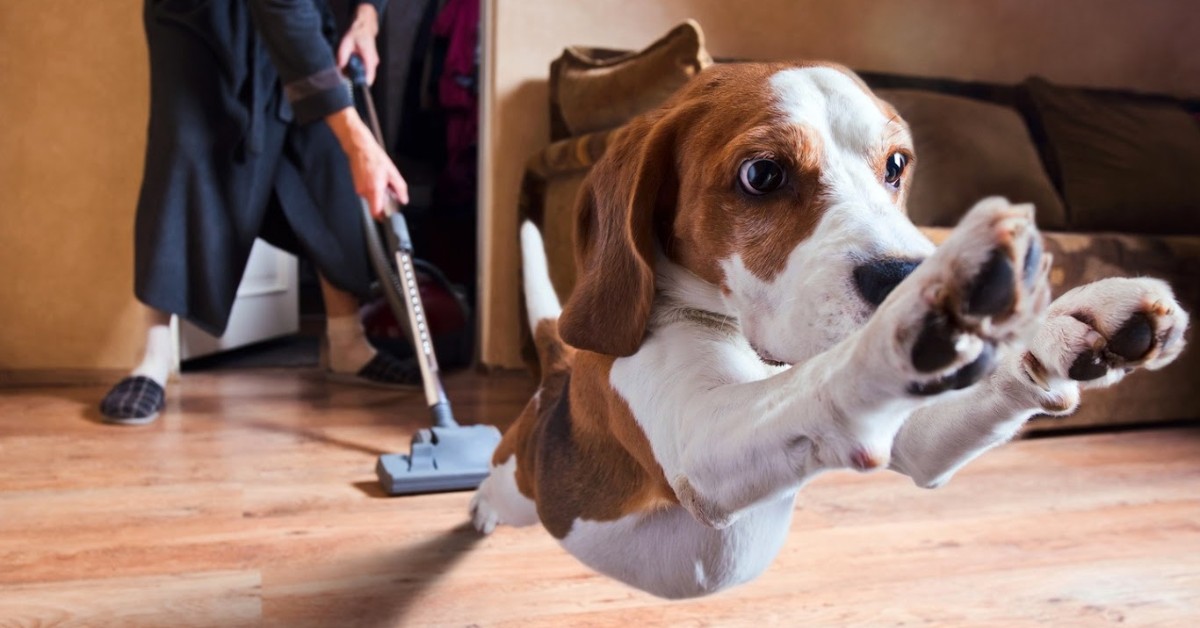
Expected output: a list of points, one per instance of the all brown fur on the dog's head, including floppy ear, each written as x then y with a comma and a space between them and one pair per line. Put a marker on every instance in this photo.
670, 180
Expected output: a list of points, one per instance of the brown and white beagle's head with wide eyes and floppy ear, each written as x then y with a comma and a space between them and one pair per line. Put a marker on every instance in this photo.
784, 187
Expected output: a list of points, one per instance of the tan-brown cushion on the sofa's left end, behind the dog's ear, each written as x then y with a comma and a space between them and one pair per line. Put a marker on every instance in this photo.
593, 89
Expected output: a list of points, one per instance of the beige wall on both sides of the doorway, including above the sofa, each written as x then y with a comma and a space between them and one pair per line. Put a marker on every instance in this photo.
74, 105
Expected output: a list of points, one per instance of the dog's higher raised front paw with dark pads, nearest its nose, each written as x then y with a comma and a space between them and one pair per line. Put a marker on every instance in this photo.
986, 286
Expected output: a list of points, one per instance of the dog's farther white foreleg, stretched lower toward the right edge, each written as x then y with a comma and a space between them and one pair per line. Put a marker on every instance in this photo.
1093, 337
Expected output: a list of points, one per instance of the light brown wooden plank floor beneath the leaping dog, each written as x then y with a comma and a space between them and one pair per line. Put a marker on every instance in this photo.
253, 503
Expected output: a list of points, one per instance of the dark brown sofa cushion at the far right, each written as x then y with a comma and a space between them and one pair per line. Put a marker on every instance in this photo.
1121, 164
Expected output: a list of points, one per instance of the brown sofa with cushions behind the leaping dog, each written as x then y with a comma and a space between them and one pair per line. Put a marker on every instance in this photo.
1112, 175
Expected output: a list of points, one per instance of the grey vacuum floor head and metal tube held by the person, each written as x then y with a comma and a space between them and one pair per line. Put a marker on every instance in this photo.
446, 457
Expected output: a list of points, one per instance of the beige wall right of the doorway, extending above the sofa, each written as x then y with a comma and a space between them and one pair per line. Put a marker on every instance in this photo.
1145, 45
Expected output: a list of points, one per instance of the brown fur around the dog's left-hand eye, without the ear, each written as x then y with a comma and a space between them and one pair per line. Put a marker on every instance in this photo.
717, 219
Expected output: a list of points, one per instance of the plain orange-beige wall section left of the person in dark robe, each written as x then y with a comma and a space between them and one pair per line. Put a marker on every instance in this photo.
74, 95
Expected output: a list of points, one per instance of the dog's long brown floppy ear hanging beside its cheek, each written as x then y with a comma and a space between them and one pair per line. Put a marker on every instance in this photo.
629, 192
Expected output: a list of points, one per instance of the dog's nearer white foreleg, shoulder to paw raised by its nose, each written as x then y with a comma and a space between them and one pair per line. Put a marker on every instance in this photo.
728, 446
